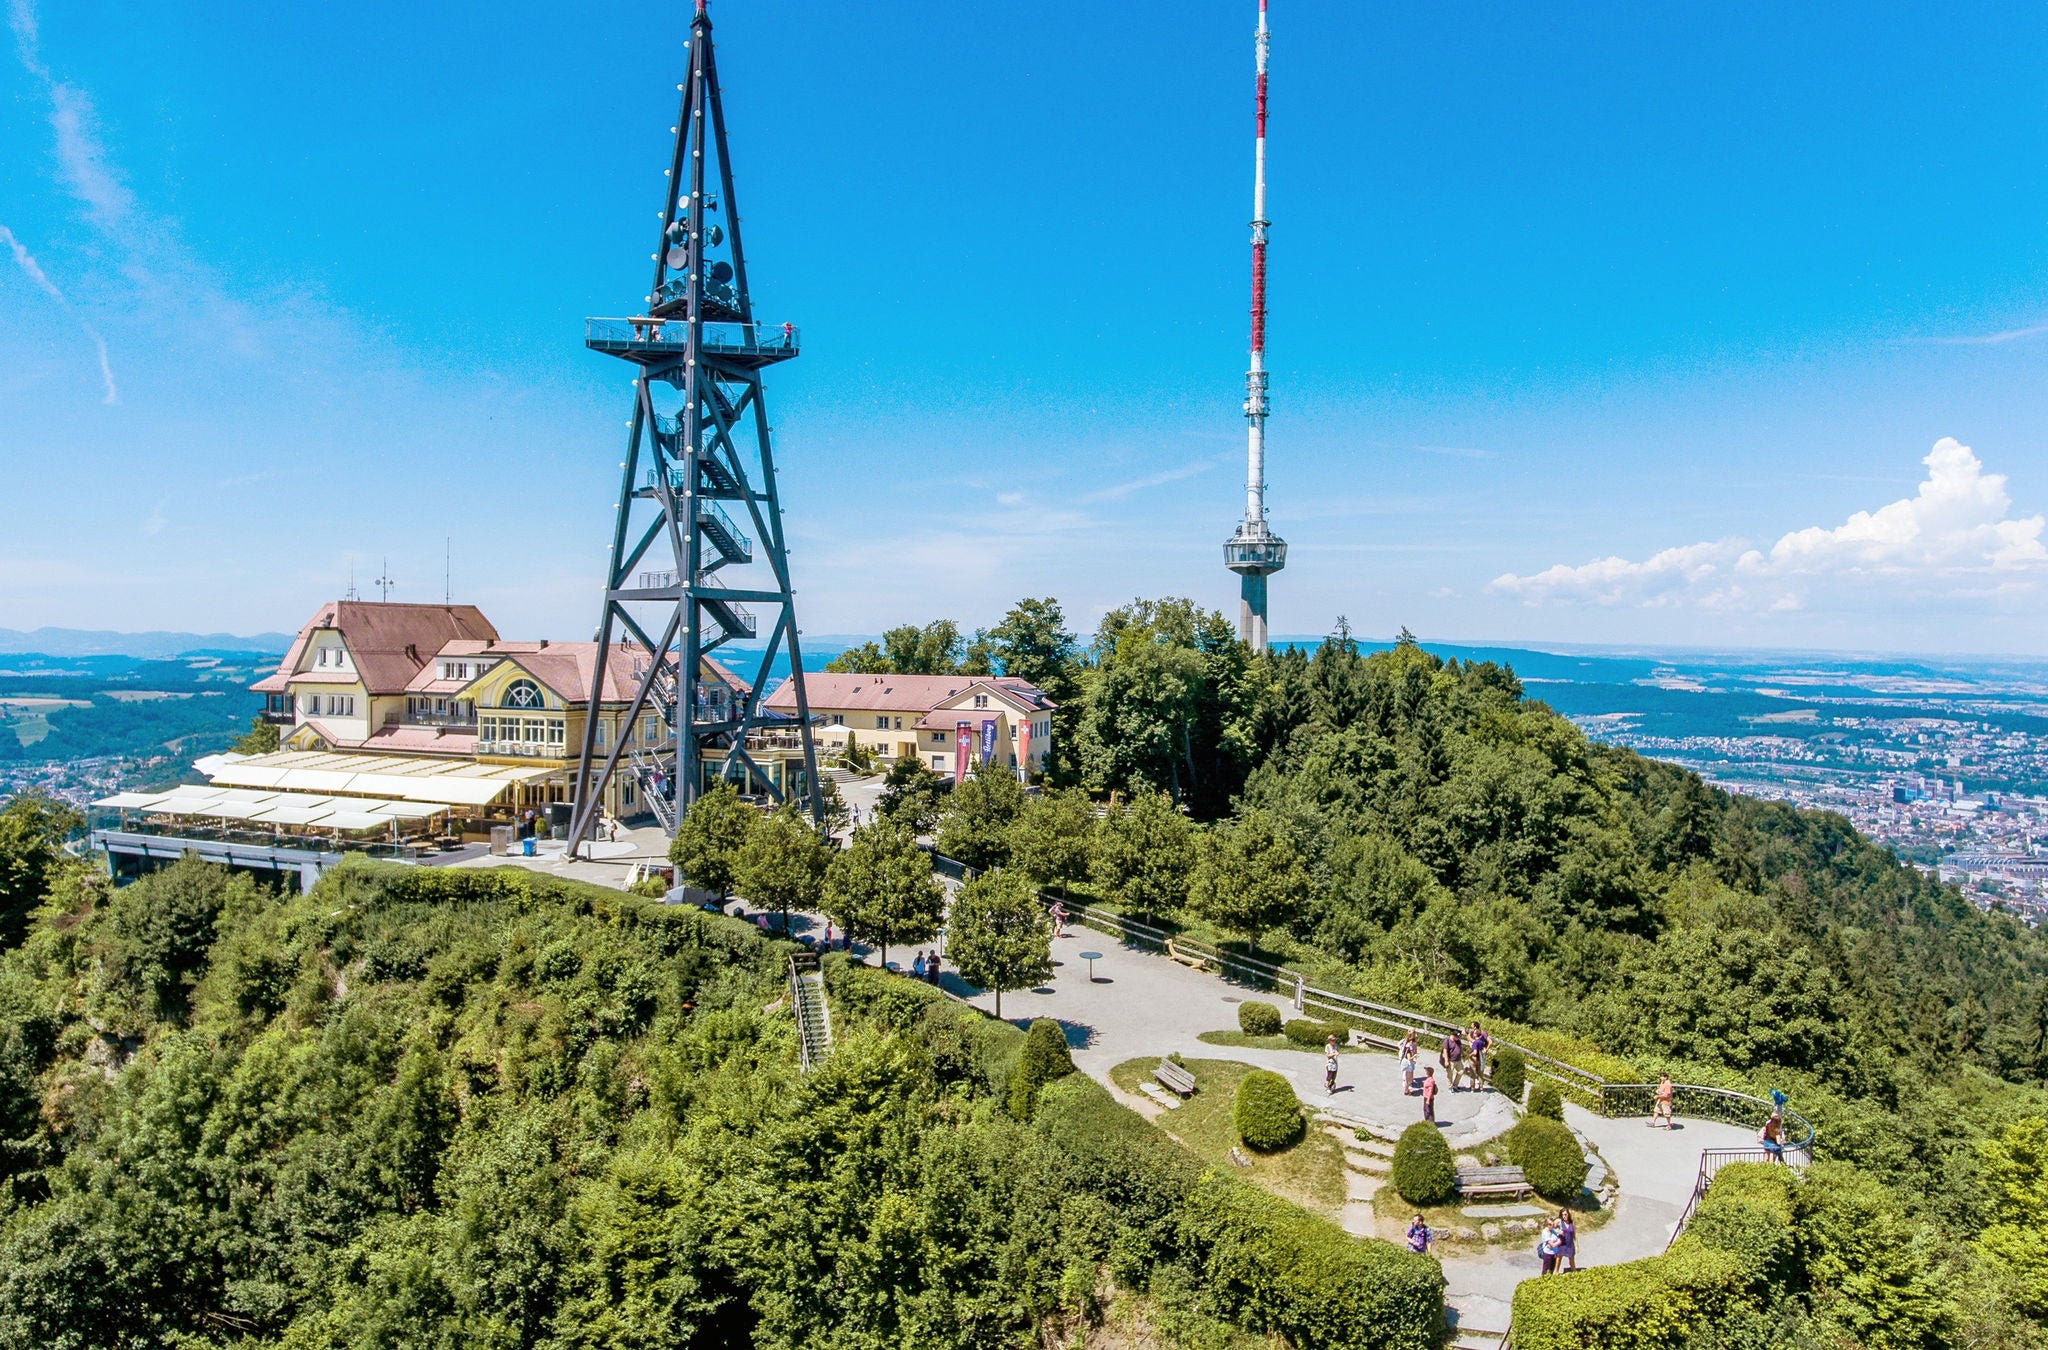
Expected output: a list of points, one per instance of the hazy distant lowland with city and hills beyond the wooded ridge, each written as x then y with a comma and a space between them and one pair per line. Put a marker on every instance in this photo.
1947, 763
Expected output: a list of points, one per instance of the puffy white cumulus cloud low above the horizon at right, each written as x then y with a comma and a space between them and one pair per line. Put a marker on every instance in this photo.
1955, 538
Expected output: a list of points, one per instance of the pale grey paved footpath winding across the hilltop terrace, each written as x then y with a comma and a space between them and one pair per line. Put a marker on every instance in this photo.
1144, 1005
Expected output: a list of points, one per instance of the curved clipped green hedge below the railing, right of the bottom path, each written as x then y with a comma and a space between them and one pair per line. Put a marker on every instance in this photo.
1738, 1247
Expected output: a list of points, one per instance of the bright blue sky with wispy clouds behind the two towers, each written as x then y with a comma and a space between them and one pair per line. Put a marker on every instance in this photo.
1637, 325
